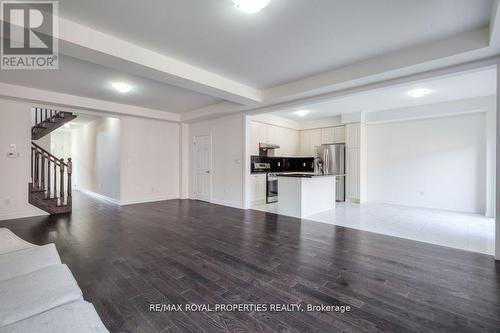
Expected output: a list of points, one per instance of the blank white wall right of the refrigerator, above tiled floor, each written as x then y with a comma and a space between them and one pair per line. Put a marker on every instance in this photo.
435, 163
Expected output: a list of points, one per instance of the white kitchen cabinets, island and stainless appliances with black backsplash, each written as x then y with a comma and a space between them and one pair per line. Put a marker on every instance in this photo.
292, 160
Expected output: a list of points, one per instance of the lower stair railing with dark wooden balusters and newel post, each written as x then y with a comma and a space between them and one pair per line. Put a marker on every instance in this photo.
46, 169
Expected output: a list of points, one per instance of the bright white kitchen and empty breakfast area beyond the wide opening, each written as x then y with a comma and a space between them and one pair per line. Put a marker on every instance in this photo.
415, 166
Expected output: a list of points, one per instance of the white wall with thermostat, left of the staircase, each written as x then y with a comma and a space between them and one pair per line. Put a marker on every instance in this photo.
15, 128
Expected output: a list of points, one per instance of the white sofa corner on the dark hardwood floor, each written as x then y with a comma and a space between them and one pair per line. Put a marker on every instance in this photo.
38, 293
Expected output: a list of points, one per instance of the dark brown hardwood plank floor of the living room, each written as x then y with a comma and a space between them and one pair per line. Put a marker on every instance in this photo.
182, 251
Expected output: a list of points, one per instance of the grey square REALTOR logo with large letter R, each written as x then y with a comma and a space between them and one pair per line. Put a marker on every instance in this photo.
29, 31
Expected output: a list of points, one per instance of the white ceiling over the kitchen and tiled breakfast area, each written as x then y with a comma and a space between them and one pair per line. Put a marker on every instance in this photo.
474, 84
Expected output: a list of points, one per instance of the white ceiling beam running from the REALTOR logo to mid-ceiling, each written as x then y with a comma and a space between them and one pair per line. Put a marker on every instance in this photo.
84, 43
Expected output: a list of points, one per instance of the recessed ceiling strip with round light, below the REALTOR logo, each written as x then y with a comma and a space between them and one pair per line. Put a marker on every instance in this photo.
86, 79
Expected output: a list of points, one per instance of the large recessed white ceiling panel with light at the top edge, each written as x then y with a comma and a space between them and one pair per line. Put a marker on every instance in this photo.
288, 40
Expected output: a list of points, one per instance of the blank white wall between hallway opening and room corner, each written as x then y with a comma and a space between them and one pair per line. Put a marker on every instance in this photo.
150, 159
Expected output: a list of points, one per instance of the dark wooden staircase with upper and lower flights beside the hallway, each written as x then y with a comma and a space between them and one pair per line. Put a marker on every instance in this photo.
50, 186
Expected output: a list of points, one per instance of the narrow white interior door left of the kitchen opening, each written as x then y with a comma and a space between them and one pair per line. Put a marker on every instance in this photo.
202, 159
